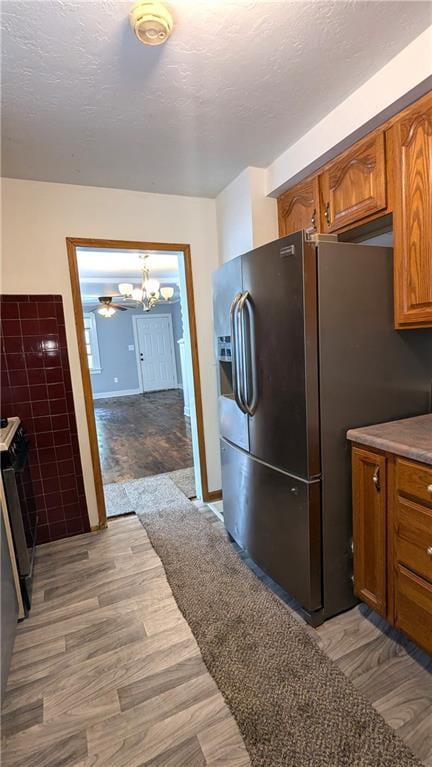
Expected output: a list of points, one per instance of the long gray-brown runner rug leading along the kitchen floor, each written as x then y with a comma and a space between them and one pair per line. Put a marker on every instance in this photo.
294, 707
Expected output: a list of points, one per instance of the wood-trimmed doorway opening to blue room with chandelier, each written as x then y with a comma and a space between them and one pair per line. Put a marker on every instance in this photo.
140, 372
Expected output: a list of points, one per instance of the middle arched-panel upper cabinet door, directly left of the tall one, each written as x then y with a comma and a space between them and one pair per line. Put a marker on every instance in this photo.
353, 187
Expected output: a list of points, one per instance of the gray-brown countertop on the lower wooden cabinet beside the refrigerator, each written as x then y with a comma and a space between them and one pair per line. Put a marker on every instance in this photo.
411, 437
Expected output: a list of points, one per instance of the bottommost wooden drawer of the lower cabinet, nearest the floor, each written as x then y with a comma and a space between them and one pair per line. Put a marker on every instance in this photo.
413, 607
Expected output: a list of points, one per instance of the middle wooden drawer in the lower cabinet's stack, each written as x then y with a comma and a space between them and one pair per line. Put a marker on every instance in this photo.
413, 528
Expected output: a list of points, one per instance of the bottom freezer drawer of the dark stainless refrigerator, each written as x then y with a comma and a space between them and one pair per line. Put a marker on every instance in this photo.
277, 519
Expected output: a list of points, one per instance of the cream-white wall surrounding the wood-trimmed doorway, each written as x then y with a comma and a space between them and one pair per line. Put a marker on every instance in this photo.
38, 216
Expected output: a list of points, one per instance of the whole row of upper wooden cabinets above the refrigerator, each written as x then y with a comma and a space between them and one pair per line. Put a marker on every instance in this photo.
389, 171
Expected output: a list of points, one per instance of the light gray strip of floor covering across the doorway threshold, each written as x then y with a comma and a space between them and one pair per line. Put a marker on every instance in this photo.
150, 493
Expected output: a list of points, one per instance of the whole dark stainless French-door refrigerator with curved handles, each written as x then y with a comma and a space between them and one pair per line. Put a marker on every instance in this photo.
306, 349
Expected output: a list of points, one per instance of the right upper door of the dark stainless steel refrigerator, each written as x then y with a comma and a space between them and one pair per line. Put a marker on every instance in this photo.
279, 318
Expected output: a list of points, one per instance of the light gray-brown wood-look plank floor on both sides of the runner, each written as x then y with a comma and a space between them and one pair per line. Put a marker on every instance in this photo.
106, 672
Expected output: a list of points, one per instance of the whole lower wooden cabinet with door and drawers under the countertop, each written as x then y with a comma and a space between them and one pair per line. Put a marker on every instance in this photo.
392, 540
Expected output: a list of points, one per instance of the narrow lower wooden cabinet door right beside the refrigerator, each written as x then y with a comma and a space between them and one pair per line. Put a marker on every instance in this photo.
369, 528
